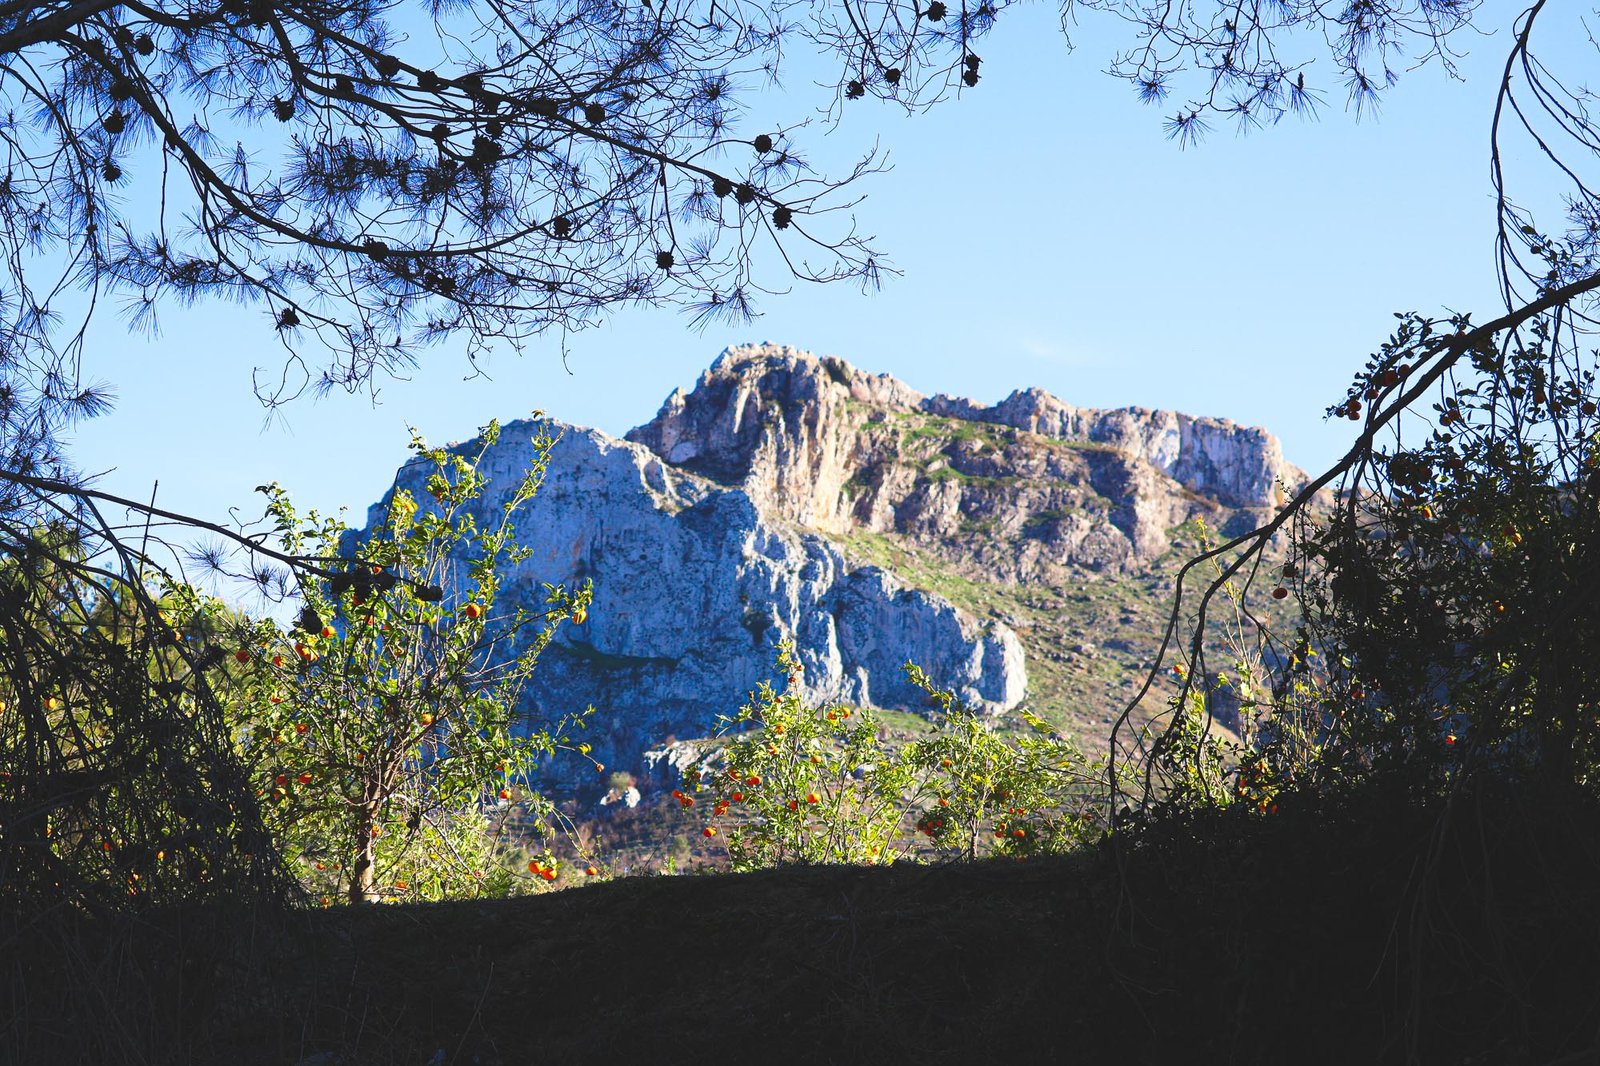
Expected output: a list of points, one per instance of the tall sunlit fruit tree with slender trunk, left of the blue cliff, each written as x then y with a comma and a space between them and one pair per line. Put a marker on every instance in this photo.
383, 726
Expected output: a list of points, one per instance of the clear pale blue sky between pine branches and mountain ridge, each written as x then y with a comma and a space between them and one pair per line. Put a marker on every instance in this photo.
1049, 233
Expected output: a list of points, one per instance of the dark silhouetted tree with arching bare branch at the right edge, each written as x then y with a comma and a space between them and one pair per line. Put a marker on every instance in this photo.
1450, 582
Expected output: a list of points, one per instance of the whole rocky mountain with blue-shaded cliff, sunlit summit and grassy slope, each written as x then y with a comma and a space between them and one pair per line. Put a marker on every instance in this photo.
1015, 551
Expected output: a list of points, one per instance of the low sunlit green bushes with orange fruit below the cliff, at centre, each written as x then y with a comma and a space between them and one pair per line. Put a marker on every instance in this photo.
825, 785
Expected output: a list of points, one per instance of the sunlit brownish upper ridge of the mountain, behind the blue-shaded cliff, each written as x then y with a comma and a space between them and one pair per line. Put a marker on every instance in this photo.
1023, 491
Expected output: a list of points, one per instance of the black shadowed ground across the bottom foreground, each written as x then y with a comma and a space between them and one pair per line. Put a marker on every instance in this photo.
1370, 934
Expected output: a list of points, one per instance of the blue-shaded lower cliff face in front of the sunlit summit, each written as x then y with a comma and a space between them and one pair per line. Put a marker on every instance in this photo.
695, 587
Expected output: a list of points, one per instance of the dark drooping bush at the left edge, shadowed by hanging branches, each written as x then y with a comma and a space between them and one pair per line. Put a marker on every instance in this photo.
119, 787
